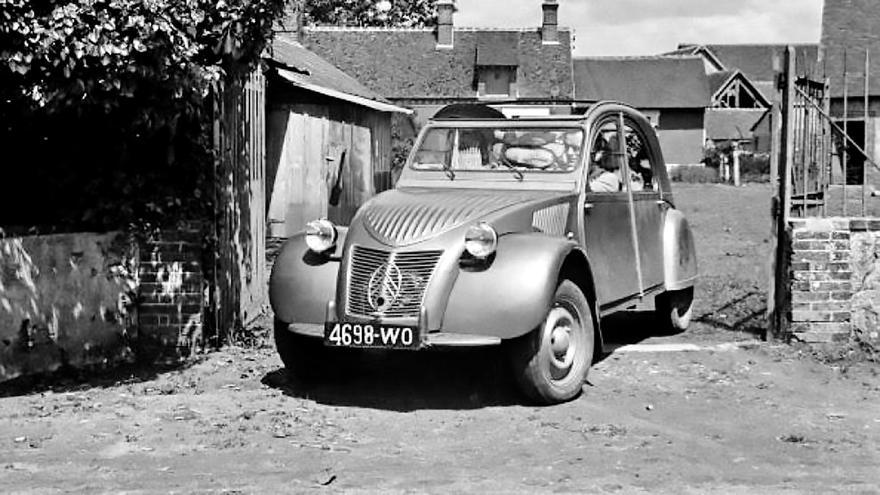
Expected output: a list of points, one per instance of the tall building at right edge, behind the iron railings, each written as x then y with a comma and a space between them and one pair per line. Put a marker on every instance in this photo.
849, 35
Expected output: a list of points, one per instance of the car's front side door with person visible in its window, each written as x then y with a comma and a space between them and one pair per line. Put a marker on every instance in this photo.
609, 232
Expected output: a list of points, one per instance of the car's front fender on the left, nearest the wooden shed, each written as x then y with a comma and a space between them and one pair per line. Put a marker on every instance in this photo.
302, 282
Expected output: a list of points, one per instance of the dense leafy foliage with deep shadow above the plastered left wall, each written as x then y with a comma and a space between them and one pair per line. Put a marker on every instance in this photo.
104, 104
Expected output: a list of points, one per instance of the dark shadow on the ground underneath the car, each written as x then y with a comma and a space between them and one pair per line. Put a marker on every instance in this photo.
449, 379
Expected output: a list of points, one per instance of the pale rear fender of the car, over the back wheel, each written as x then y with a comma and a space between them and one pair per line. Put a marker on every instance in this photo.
679, 254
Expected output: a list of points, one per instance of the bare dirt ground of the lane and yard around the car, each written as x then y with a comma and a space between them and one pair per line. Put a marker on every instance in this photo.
713, 410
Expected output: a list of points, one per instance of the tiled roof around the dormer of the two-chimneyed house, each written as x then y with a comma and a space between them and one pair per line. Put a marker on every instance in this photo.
405, 63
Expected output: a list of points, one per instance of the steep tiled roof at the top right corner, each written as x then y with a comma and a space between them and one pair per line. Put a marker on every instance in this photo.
852, 25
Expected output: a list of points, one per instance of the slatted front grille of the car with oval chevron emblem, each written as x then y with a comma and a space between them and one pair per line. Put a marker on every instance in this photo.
388, 284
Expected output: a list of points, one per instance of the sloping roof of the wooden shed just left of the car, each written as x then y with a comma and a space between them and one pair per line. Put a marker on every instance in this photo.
315, 70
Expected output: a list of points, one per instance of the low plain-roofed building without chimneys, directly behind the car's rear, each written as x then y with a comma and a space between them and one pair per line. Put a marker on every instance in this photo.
673, 92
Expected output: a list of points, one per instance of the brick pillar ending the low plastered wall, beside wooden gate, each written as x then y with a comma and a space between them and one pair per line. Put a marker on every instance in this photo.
172, 294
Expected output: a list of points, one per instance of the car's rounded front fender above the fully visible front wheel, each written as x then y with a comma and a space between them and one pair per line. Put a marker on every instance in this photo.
510, 296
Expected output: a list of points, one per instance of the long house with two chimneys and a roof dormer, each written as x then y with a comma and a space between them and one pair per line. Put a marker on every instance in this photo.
522, 71
